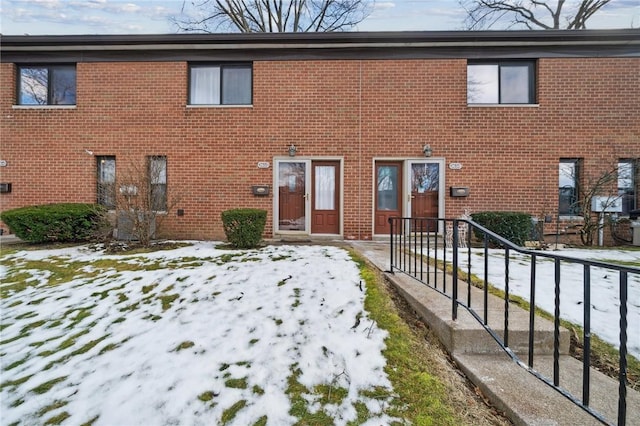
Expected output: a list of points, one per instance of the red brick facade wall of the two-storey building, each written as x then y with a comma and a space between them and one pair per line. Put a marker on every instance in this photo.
358, 110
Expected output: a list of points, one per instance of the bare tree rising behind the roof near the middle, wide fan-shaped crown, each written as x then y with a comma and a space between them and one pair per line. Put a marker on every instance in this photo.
247, 16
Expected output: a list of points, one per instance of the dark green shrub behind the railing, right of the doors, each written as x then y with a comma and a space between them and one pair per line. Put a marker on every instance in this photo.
515, 227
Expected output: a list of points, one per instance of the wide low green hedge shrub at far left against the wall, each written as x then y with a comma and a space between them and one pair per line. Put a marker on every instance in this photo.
68, 222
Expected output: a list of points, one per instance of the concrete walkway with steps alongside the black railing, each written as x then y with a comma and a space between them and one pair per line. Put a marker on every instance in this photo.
525, 399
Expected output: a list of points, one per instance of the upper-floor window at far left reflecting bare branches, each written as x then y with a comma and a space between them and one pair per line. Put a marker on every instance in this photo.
47, 85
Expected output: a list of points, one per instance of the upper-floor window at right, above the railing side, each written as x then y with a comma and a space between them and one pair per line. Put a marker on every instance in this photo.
501, 82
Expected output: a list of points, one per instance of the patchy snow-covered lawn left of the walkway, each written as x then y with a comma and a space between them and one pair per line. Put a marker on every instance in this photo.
182, 336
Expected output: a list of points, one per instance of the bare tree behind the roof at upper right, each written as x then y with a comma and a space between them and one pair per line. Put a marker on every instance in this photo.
530, 14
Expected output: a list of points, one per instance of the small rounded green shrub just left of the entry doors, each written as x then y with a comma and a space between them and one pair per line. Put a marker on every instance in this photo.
244, 227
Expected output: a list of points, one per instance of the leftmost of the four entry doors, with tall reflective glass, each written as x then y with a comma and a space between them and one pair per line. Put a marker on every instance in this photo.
292, 196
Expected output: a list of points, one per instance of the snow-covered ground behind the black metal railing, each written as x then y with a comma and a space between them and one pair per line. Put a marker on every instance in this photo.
605, 289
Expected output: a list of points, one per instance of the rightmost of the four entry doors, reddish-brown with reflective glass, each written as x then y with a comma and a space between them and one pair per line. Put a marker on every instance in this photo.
424, 182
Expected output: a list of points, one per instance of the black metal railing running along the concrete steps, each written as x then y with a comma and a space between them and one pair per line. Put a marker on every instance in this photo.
438, 253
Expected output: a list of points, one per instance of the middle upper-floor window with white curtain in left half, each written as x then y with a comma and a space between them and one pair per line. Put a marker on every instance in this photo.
228, 84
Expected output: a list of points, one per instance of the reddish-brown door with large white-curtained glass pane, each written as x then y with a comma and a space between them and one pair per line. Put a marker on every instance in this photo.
325, 197
